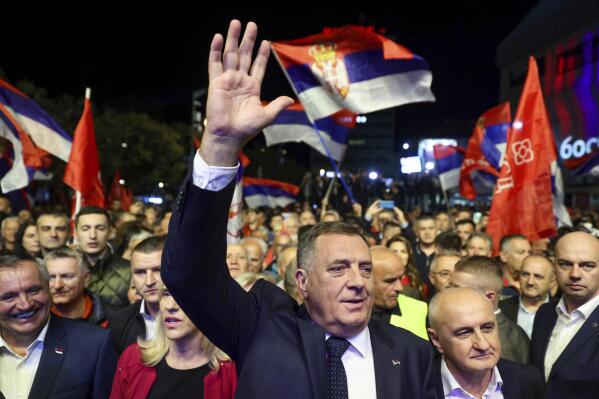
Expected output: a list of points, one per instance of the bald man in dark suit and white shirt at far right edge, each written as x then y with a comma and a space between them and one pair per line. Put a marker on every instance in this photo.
565, 337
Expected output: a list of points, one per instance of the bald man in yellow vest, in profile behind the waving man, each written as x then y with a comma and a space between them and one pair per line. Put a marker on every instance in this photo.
390, 305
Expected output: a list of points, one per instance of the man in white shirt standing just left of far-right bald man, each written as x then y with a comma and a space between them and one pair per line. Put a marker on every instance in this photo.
536, 275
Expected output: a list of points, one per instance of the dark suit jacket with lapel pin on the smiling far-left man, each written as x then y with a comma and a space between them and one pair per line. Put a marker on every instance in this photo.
78, 361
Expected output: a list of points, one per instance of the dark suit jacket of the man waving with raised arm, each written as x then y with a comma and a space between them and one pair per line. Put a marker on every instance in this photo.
279, 352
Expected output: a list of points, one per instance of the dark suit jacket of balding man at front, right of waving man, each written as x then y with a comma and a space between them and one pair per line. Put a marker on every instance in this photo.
520, 381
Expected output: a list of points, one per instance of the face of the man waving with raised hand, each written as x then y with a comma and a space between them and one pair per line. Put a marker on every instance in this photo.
337, 287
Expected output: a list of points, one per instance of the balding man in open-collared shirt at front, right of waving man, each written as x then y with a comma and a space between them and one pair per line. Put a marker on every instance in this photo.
464, 331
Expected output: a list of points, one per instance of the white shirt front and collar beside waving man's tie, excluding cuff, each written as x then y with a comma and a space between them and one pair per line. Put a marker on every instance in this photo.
358, 363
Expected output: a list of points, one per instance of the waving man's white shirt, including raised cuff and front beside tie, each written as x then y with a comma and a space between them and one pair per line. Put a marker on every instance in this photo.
358, 360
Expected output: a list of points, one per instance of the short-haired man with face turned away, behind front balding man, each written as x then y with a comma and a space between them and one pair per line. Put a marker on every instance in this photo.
484, 274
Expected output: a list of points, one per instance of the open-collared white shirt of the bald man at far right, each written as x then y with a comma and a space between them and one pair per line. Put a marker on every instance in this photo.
566, 327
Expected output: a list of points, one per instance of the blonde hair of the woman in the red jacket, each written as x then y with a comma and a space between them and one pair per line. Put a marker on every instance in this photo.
153, 350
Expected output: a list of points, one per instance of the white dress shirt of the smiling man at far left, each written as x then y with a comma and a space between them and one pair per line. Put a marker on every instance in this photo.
17, 372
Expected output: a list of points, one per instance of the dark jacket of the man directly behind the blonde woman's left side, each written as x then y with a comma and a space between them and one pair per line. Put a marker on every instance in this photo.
126, 325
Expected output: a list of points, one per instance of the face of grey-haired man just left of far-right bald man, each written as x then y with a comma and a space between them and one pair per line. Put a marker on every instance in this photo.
535, 277
